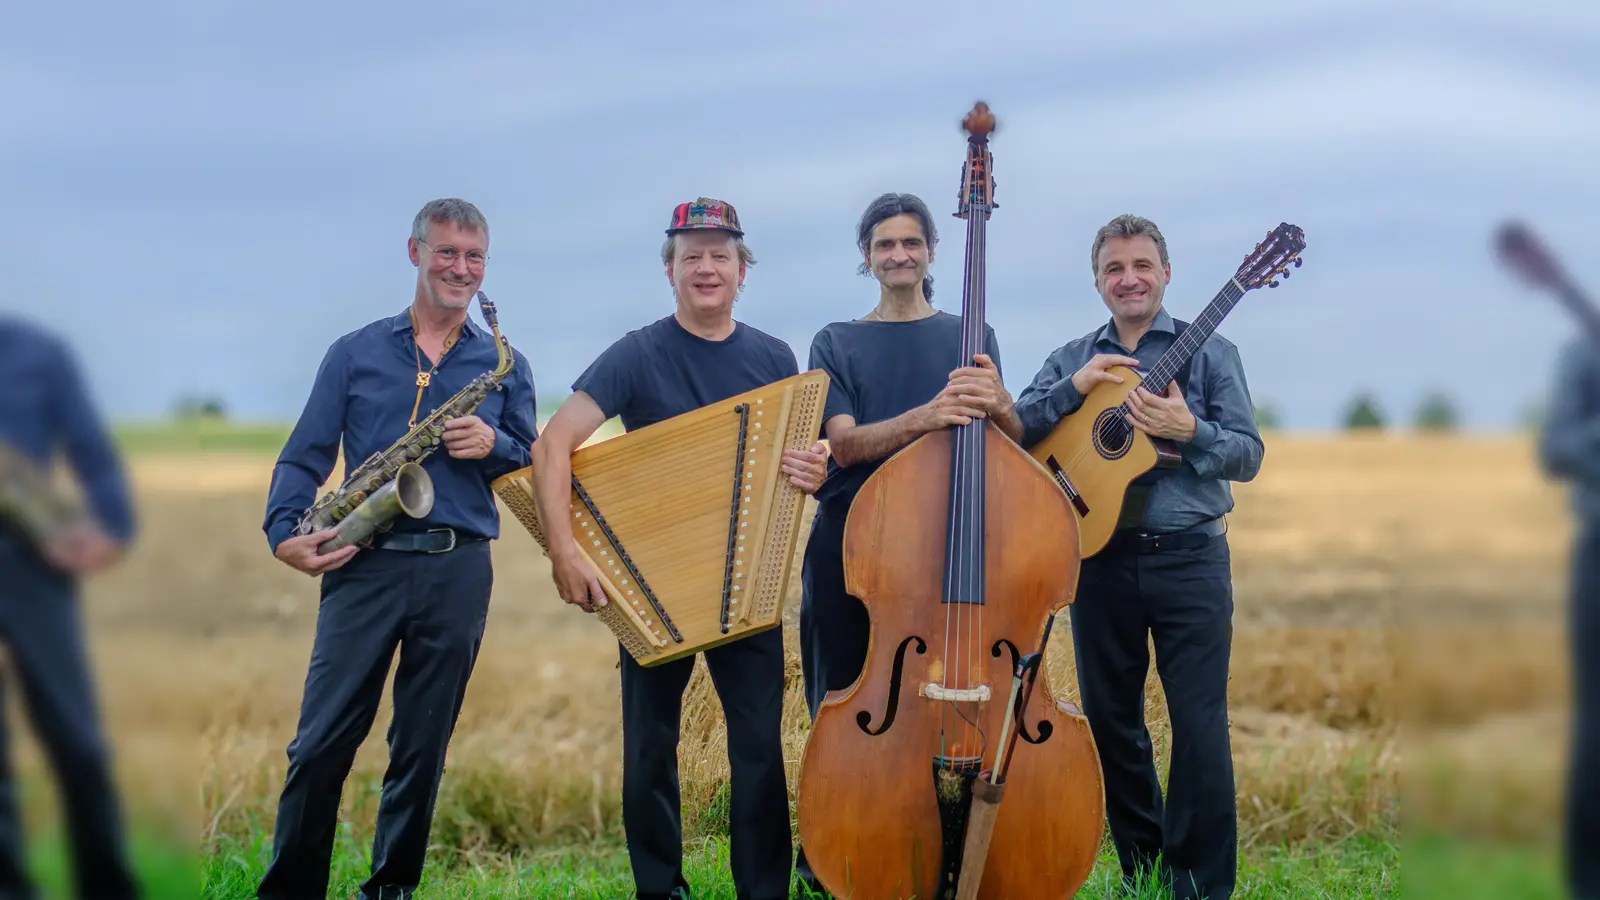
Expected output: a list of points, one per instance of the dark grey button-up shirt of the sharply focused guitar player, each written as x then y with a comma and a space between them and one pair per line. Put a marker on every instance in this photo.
1226, 446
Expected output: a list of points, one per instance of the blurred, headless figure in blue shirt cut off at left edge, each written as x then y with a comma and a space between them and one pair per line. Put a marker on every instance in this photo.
46, 409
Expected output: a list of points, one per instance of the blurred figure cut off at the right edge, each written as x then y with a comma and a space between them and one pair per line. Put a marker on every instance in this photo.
1570, 451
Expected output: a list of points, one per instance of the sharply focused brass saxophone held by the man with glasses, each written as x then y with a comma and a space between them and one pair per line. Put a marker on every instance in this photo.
393, 483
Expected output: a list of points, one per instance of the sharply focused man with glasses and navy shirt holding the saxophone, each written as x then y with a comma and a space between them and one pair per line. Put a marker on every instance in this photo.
422, 587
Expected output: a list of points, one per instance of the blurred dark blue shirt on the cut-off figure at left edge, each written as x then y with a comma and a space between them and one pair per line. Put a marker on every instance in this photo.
46, 409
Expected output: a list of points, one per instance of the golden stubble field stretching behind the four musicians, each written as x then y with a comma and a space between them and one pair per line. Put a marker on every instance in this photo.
1377, 581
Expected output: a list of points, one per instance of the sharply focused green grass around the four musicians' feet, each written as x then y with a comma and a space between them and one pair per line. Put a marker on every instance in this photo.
1358, 869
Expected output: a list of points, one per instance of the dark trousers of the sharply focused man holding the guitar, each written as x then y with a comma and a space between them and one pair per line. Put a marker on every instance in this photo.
1185, 601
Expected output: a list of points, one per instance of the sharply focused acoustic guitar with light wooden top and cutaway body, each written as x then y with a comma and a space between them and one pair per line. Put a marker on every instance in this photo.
1103, 464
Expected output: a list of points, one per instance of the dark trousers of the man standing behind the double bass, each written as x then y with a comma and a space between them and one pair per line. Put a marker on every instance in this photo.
834, 630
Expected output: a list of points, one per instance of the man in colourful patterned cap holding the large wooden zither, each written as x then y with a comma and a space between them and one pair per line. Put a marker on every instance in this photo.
686, 361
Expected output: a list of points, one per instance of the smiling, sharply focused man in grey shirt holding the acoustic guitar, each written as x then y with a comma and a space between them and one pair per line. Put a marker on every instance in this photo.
1167, 576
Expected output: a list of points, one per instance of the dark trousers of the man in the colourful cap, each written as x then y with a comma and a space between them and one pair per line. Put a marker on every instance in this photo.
750, 681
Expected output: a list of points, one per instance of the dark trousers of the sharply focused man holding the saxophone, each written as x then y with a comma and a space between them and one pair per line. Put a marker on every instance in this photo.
433, 608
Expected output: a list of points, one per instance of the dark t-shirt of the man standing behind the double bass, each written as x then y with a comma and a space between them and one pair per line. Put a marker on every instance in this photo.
878, 372
